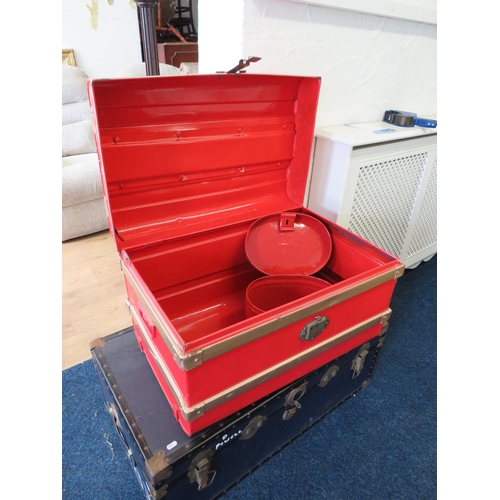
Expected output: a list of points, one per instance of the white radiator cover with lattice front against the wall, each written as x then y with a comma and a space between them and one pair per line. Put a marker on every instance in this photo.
380, 182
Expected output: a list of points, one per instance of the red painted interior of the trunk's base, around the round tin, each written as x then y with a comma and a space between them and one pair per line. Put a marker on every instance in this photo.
199, 281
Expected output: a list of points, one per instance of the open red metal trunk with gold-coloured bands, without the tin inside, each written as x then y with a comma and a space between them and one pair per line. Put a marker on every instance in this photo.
188, 164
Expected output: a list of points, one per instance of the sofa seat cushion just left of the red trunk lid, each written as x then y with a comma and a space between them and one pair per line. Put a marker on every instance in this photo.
81, 179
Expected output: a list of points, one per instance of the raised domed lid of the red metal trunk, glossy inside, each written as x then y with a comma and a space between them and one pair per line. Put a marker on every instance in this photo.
185, 154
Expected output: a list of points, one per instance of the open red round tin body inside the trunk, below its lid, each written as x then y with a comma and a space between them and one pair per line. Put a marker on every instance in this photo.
266, 293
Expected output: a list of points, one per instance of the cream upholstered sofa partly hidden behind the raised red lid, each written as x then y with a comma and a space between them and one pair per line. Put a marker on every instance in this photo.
83, 206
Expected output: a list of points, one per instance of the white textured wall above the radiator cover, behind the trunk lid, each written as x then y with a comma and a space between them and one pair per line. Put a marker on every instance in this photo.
367, 63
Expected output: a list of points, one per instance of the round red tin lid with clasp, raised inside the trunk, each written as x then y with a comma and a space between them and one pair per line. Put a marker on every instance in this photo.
288, 243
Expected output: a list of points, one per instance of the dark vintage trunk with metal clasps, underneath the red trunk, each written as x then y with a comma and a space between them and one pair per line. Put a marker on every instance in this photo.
170, 464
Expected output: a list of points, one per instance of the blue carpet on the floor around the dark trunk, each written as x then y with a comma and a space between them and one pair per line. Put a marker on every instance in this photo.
379, 445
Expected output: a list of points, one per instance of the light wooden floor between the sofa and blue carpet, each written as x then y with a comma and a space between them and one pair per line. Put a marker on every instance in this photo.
93, 295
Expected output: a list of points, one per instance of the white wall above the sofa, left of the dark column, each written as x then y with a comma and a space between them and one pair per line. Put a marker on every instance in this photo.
112, 45
